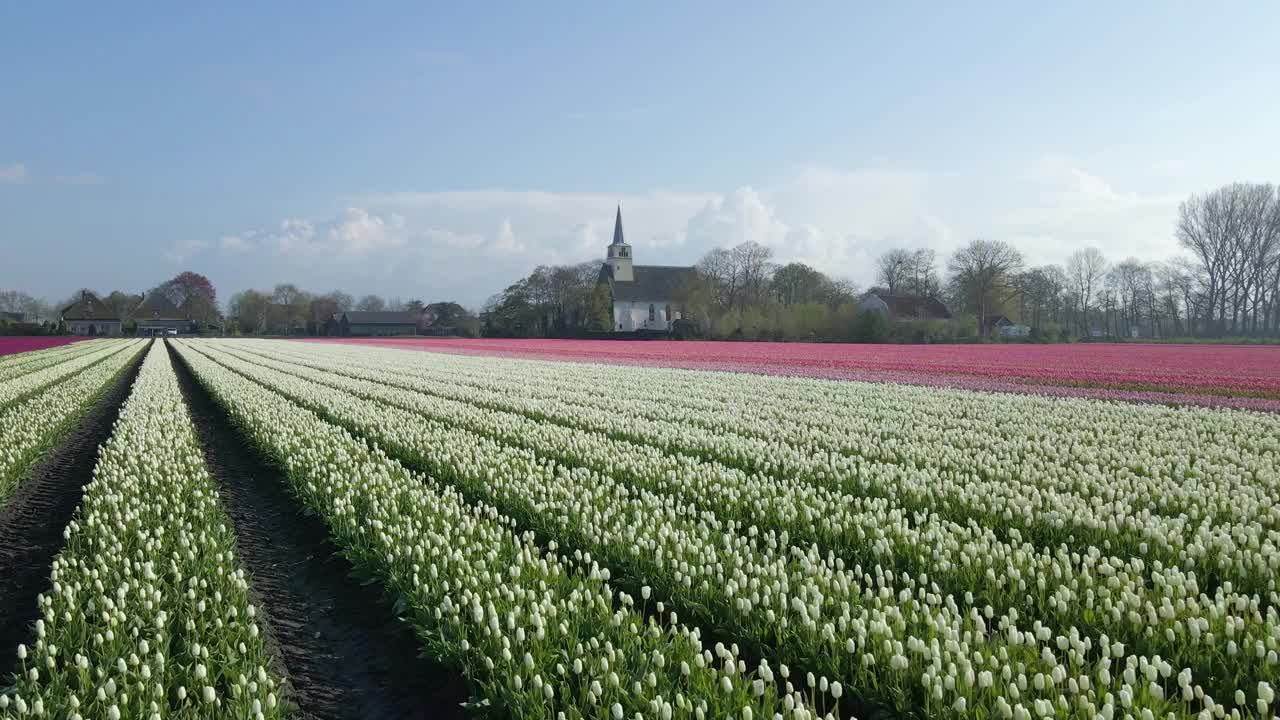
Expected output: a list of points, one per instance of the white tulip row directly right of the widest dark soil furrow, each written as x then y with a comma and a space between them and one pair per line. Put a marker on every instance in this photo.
538, 634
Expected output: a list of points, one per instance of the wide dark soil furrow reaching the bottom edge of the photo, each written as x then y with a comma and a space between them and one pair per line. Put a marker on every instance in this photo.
344, 651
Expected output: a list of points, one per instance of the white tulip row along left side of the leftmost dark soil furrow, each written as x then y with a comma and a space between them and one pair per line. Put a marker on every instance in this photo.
30, 427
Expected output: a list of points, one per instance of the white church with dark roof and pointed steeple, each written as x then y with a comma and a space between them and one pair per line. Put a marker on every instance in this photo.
646, 298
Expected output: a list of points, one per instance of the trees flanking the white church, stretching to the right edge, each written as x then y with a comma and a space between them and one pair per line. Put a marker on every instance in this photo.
1228, 285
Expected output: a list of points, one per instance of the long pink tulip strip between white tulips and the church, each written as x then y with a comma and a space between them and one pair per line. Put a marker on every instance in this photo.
1183, 375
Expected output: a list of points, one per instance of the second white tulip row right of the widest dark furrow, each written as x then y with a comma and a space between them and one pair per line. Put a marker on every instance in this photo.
898, 640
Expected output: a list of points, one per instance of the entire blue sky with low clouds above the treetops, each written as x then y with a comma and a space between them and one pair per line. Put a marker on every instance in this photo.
442, 152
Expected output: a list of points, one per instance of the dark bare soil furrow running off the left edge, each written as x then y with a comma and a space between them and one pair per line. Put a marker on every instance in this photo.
34, 520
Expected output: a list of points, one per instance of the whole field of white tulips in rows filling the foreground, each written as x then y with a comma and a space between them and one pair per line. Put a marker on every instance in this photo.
619, 540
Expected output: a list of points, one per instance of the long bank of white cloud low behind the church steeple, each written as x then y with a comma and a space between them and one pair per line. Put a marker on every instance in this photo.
470, 244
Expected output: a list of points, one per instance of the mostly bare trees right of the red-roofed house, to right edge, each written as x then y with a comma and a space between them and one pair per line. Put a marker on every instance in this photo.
1228, 286
